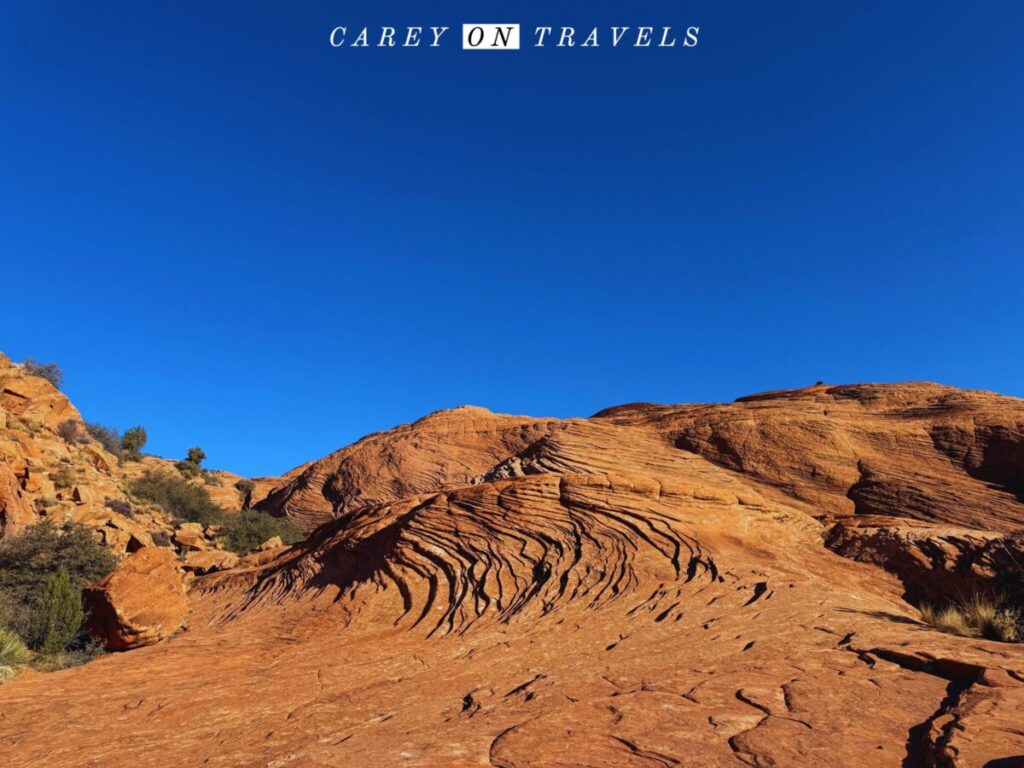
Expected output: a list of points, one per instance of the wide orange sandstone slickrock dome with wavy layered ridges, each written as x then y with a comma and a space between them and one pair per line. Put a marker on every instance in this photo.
650, 587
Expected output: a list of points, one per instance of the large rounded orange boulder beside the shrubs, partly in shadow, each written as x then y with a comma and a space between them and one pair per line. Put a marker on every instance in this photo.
139, 605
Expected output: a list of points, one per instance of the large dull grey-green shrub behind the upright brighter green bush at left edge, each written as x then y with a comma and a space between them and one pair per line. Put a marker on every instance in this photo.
29, 560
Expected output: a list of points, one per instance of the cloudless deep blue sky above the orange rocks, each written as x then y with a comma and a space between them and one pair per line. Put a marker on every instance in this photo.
228, 232
